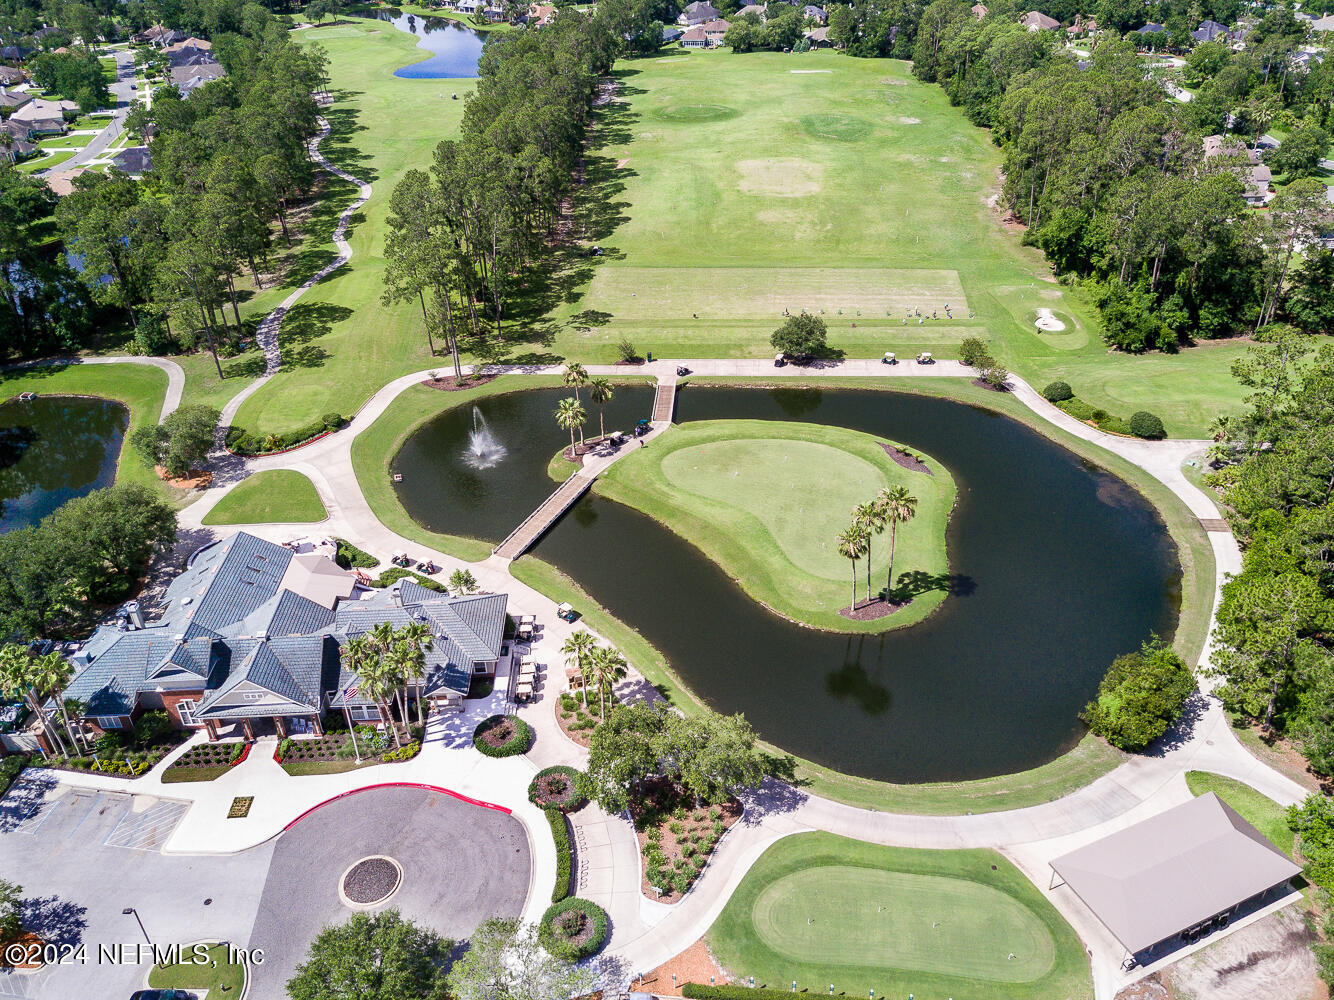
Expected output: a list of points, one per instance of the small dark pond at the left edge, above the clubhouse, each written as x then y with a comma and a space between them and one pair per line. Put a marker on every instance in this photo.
54, 449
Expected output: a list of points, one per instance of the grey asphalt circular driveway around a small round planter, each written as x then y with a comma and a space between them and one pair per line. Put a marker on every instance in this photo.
462, 865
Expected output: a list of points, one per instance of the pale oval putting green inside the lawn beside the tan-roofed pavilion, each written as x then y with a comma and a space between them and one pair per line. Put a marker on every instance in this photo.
920, 922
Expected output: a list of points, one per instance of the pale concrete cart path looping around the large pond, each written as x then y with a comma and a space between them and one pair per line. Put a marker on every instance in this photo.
648, 933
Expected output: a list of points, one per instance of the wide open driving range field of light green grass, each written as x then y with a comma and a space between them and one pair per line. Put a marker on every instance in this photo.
730, 211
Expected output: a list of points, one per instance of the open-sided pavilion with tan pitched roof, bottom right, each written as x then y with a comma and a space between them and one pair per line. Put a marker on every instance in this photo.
1181, 873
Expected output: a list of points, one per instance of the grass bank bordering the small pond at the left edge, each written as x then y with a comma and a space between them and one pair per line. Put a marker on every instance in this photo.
142, 389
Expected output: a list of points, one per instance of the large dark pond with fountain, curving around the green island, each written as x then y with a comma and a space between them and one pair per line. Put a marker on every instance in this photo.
1057, 567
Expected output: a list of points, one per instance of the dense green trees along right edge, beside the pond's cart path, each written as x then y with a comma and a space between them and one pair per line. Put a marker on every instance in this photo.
1276, 473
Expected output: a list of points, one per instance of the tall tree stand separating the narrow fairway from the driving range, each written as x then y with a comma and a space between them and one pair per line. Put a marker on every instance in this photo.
490, 205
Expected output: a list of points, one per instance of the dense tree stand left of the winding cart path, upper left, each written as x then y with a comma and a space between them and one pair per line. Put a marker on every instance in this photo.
227, 162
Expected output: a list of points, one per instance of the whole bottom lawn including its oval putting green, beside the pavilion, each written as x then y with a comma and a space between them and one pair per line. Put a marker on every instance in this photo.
824, 910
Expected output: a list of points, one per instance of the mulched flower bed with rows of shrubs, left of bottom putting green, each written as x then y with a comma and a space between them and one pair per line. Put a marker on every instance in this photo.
677, 838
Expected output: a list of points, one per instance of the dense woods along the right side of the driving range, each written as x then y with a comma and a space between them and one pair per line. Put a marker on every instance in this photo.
1115, 186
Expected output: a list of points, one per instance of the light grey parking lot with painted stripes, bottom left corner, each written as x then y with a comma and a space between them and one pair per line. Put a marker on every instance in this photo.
85, 857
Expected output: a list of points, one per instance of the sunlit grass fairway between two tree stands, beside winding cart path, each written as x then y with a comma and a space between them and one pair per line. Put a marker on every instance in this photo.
341, 343
